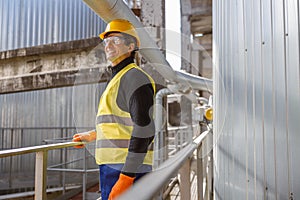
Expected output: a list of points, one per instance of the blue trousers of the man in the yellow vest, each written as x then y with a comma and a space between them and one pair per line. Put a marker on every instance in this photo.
109, 174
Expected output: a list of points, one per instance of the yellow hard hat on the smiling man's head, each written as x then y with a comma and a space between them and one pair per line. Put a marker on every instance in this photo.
121, 26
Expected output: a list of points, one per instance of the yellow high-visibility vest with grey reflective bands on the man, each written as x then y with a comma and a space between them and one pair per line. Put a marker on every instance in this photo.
114, 126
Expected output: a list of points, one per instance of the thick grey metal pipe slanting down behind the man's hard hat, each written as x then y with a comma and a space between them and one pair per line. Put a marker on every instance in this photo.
113, 9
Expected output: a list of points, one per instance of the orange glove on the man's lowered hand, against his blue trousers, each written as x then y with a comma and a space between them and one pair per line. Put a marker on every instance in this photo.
121, 186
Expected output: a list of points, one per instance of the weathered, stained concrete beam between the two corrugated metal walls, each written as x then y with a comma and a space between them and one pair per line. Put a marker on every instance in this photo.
55, 65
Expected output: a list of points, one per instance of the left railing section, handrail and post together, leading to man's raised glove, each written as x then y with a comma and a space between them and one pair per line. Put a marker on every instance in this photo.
40, 163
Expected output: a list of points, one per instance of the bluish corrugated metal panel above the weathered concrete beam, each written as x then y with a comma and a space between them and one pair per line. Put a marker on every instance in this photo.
27, 23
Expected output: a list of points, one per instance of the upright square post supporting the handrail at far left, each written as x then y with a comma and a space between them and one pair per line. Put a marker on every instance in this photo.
41, 175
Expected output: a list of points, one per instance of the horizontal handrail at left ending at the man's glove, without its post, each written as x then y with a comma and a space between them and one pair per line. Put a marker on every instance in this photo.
34, 149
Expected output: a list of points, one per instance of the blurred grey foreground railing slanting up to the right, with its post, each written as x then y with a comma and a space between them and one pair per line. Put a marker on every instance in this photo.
152, 183
